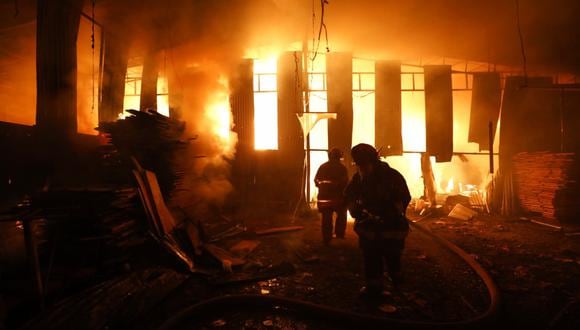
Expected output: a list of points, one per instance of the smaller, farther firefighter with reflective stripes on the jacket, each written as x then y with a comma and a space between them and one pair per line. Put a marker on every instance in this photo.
331, 179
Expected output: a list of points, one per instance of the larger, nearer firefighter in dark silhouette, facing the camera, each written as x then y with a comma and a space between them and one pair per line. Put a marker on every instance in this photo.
377, 197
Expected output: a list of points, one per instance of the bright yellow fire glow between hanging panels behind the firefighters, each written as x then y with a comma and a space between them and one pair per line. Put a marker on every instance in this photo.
450, 177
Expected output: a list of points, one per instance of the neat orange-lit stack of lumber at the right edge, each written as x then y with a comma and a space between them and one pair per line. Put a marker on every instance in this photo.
547, 183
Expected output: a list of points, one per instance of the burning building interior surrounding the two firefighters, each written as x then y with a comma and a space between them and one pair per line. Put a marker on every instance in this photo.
190, 132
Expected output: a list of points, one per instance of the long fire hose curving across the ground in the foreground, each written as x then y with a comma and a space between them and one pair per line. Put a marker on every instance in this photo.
343, 317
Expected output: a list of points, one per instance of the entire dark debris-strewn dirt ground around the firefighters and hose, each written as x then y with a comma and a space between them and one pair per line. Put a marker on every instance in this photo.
536, 269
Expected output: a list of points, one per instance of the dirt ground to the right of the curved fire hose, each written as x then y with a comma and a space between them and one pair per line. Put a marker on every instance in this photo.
536, 268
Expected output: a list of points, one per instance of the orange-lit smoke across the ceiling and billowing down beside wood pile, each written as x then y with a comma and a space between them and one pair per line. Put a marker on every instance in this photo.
203, 42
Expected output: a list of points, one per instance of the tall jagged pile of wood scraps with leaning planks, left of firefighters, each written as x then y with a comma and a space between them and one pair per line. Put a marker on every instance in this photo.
158, 153
